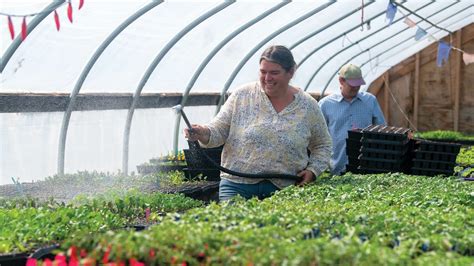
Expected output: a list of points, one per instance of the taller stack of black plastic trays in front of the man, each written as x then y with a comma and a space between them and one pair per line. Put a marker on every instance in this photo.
385, 149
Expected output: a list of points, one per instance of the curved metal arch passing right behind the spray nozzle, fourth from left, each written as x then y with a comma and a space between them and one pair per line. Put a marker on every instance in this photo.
209, 58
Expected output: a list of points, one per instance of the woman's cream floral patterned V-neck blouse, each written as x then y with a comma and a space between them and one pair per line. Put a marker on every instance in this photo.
260, 140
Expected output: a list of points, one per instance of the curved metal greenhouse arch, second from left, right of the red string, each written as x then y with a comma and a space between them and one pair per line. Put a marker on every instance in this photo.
85, 72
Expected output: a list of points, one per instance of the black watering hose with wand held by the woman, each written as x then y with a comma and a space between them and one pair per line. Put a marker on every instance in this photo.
195, 145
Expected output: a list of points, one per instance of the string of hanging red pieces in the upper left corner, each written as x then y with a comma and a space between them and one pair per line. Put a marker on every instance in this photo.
24, 25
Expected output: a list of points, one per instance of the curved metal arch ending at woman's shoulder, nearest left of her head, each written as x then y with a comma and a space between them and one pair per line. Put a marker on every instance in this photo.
261, 43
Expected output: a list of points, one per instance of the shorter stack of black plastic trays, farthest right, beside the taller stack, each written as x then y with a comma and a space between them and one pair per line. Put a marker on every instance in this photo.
434, 158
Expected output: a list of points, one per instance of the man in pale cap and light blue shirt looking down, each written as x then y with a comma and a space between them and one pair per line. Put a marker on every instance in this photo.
347, 110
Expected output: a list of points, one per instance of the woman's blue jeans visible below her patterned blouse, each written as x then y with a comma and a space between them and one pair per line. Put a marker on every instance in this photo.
229, 189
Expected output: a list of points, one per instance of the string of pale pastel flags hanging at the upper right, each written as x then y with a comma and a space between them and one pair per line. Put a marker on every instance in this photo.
444, 48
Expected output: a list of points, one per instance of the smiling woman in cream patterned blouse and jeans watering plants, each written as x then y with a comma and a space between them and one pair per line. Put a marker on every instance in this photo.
268, 127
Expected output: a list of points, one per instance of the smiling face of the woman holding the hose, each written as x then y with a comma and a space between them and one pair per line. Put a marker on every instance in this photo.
273, 78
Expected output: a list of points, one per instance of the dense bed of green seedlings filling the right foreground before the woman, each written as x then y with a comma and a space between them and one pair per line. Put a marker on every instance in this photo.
387, 219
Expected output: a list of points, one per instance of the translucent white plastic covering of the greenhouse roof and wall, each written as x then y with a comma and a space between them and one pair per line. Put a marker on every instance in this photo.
51, 61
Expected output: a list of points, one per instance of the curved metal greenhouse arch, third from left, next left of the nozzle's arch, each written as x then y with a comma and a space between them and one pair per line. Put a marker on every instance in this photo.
152, 67
